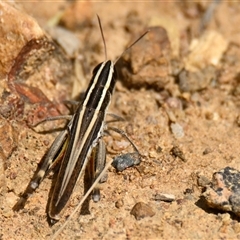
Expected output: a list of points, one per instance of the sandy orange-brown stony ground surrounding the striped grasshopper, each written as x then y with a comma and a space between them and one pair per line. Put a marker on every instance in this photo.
178, 91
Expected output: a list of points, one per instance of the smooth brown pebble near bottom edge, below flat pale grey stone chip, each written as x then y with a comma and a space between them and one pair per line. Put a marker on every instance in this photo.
142, 210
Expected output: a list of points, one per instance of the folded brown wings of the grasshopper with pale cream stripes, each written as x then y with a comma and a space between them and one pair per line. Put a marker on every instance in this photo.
85, 131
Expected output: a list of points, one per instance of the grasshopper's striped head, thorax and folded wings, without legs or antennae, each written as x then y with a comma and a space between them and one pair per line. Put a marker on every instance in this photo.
84, 132
